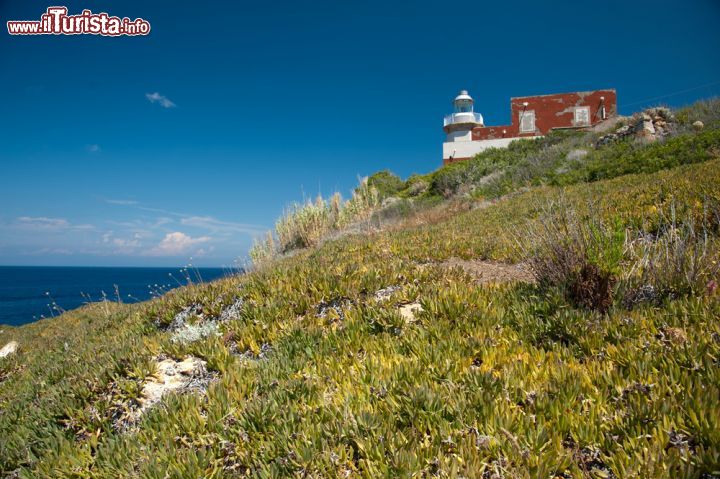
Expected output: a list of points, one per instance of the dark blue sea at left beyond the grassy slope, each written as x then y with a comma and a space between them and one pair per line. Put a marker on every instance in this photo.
24, 298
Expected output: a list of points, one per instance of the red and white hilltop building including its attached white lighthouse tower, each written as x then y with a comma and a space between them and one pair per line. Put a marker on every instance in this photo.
530, 116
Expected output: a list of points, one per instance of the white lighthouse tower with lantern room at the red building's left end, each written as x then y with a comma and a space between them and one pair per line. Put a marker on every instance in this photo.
458, 126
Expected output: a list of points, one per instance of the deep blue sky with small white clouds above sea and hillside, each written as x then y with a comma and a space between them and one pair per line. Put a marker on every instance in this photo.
190, 141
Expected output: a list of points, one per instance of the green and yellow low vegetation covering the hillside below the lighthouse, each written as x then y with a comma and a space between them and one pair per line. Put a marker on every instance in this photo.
606, 366
